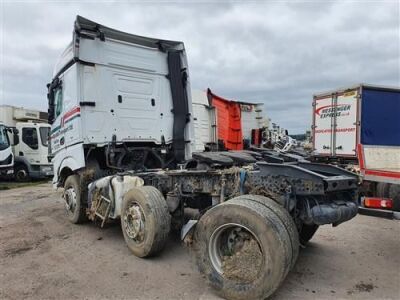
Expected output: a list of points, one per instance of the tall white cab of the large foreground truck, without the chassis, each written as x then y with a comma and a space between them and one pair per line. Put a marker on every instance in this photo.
119, 101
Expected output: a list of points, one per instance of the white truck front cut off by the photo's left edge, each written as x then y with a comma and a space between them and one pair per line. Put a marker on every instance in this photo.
6, 155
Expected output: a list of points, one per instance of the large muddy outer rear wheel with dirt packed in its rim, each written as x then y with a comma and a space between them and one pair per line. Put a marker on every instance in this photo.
242, 249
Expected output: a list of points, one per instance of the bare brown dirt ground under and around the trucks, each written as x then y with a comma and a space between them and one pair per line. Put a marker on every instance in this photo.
42, 256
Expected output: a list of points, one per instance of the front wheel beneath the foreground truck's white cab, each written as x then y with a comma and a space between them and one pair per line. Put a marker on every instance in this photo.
74, 198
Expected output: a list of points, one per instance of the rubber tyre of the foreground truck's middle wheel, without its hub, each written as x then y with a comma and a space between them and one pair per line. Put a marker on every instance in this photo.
155, 201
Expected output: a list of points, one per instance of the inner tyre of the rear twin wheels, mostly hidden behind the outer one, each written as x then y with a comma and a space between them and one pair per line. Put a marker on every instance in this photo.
285, 218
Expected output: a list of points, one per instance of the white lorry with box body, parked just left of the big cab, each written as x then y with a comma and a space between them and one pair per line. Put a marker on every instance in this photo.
30, 144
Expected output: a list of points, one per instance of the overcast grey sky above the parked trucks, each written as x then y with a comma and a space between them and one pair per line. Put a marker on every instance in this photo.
276, 52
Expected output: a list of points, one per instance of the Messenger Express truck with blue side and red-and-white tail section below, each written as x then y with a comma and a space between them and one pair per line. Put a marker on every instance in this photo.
359, 128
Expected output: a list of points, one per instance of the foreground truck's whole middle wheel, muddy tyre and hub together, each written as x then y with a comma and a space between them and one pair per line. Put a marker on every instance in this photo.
145, 220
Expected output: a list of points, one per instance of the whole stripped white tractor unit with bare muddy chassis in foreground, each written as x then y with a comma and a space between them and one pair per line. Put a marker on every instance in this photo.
122, 140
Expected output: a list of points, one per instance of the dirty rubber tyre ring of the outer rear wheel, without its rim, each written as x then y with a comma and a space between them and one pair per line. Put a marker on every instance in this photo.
273, 238
